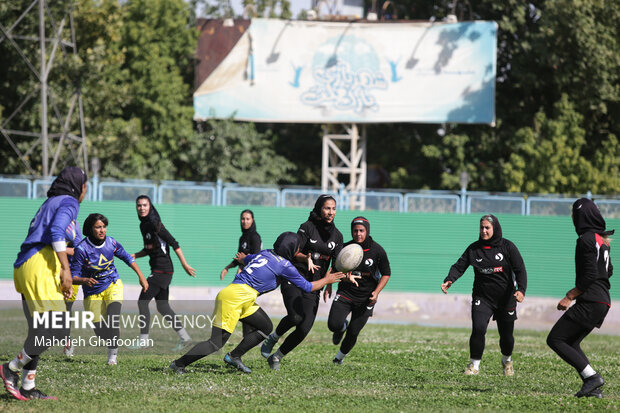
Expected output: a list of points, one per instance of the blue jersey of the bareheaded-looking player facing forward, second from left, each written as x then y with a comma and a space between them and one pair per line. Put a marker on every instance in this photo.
97, 261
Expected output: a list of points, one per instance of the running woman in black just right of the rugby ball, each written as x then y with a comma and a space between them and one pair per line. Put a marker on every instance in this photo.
360, 299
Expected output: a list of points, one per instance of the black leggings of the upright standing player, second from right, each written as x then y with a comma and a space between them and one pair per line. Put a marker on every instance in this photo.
480, 321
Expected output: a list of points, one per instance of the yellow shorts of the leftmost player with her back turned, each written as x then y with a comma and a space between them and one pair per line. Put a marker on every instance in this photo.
38, 279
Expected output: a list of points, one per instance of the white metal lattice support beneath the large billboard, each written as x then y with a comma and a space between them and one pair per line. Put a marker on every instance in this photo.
337, 161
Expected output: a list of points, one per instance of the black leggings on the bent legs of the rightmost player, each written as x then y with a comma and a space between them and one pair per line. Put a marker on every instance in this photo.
565, 338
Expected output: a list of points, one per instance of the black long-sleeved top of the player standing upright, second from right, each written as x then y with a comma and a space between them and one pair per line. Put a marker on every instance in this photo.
499, 271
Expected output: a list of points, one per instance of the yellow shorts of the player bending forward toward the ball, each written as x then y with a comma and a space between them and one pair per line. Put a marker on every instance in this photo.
234, 302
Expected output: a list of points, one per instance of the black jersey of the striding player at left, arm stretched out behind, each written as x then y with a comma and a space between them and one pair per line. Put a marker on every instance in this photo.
157, 245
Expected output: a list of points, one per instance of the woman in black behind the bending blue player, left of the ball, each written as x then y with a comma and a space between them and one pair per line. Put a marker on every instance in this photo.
320, 244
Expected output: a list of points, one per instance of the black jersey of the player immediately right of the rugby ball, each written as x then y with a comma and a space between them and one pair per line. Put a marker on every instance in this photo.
375, 264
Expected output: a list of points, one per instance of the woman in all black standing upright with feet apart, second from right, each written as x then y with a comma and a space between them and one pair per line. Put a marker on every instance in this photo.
500, 281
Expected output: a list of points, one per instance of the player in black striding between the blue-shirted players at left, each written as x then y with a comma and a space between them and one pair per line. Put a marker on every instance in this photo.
157, 243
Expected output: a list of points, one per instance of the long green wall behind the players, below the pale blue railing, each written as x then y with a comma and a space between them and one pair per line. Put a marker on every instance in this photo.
421, 247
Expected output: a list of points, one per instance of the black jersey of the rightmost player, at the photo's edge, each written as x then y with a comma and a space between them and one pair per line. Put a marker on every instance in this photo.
593, 268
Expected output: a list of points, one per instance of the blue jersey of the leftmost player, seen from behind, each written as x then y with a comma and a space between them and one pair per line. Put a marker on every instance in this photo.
48, 226
